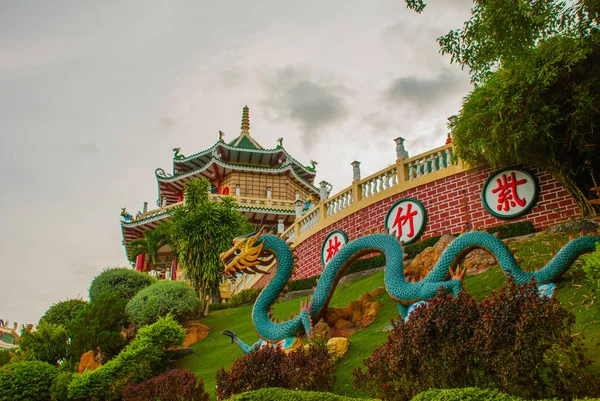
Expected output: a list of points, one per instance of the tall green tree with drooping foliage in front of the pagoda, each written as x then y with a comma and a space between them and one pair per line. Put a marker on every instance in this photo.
200, 231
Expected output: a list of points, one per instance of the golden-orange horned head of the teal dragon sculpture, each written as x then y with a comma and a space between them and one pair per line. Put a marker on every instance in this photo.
246, 255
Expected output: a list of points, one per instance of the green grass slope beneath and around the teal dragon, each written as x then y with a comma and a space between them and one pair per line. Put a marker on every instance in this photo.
573, 291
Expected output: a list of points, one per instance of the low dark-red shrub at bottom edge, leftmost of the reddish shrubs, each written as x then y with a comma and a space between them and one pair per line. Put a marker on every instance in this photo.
174, 385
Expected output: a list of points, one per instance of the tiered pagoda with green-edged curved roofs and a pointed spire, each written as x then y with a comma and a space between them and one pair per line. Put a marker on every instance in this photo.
270, 186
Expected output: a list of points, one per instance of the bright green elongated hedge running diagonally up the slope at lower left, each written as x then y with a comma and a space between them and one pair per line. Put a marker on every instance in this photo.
144, 357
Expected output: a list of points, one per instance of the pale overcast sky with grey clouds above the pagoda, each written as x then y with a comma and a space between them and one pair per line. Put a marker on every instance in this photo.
93, 96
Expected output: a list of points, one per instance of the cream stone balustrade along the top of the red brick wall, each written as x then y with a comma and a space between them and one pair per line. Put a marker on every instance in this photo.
406, 173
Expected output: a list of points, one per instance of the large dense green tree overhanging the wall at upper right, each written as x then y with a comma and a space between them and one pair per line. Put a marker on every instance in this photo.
536, 66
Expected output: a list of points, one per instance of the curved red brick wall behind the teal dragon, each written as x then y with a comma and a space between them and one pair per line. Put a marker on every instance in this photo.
452, 204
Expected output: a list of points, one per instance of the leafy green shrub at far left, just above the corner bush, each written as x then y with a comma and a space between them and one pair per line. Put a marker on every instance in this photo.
48, 343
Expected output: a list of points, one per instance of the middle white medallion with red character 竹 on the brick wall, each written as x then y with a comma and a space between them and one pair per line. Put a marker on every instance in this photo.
406, 219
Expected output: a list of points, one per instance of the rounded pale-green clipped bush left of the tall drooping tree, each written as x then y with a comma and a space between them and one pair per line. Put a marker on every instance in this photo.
162, 298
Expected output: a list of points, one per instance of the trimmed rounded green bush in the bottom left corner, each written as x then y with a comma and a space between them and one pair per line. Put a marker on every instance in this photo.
26, 381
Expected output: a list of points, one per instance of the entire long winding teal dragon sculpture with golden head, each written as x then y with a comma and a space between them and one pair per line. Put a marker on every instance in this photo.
258, 249
